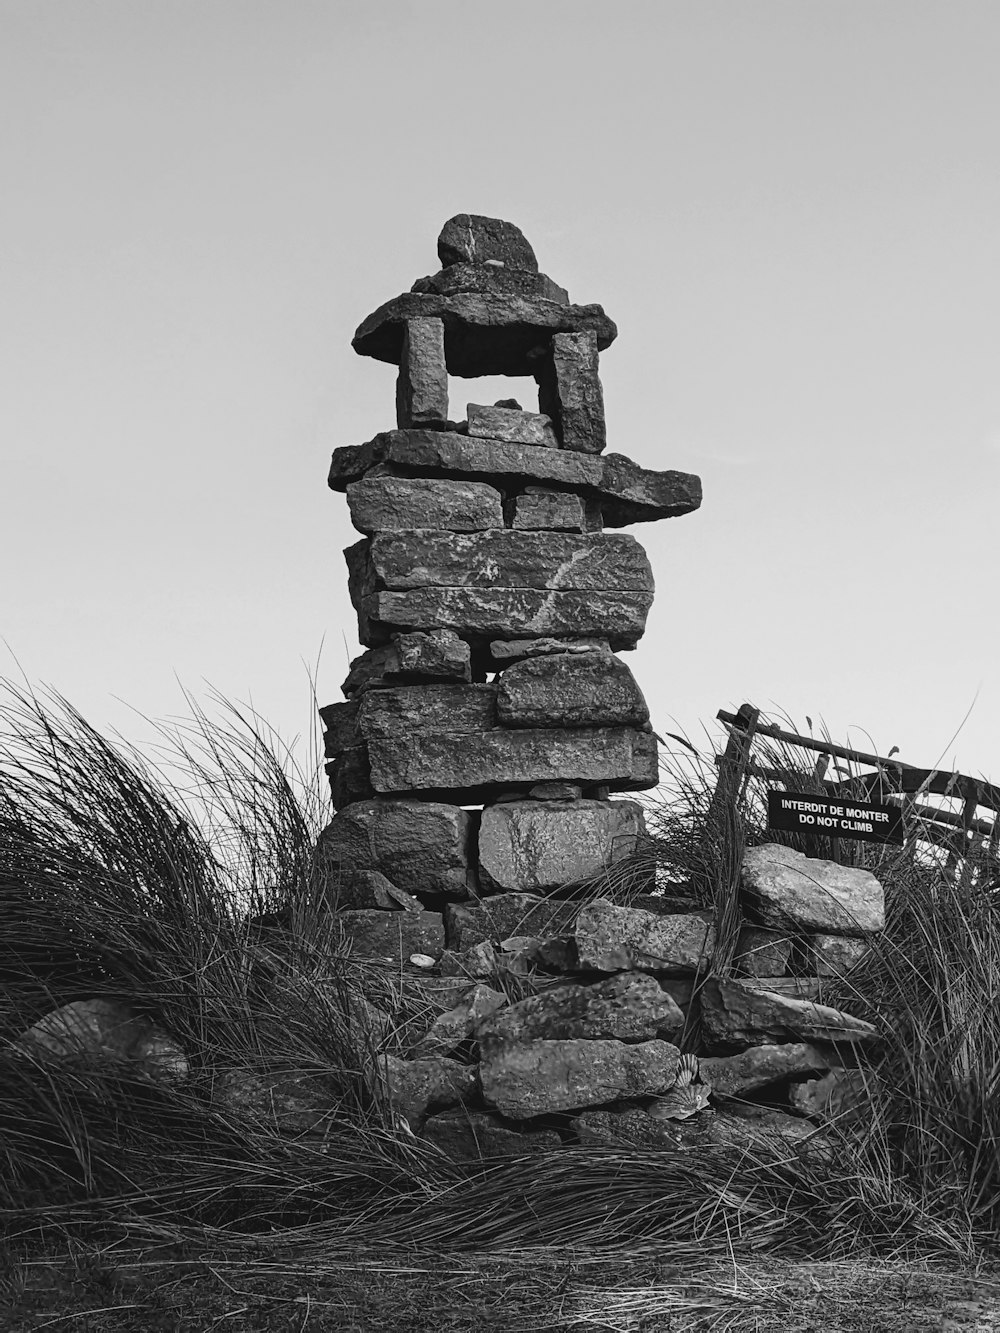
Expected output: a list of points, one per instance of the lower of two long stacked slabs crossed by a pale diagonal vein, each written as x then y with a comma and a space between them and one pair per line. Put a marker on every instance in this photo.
485, 613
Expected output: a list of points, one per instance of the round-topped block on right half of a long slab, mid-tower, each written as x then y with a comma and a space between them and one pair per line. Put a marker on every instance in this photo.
571, 690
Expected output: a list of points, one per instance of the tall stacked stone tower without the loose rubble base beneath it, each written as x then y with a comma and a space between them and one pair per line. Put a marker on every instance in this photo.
493, 601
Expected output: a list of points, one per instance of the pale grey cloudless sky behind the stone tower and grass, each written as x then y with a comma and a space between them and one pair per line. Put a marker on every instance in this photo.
790, 207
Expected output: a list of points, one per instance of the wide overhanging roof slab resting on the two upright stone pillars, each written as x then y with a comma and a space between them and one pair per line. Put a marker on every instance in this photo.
487, 333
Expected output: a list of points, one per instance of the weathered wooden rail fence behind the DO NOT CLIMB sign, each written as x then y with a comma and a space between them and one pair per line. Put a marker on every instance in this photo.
873, 778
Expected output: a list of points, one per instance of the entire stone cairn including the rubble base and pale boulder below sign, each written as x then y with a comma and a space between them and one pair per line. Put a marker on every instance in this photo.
483, 731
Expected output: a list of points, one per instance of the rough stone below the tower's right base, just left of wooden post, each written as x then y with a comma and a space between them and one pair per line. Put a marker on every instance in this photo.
614, 939
